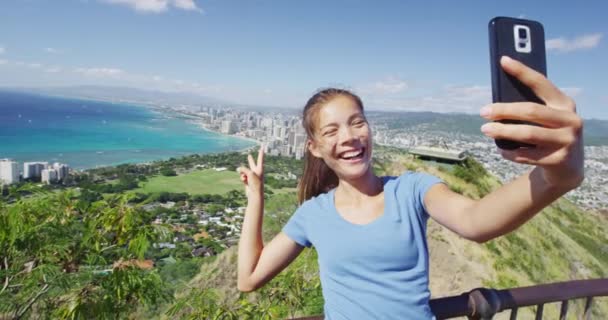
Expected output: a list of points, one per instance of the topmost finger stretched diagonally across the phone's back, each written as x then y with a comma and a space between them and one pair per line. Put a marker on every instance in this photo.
541, 86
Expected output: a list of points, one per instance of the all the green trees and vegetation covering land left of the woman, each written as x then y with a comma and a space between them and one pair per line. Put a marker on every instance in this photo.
93, 248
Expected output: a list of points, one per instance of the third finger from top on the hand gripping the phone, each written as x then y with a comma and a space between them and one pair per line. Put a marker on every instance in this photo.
530, 134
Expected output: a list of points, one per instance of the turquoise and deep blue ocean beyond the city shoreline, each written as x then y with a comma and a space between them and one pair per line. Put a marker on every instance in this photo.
88, 134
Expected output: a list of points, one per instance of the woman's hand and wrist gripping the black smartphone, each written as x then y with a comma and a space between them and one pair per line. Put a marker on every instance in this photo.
559, 138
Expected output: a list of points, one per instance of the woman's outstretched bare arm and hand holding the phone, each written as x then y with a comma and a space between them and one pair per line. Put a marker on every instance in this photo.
558, 157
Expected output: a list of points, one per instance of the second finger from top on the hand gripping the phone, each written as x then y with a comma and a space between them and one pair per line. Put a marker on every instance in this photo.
529, 111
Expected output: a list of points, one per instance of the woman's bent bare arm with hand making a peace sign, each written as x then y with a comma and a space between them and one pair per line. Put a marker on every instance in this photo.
258, 264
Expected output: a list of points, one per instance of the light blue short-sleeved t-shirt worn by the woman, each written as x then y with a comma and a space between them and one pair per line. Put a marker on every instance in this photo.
378, 270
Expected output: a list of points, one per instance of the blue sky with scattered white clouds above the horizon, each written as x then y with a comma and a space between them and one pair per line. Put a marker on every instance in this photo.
397, 55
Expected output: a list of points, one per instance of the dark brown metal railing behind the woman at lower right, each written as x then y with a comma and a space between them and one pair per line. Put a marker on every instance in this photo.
484, 303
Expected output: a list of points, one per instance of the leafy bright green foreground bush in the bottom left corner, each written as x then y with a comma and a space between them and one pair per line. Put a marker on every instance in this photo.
63, 257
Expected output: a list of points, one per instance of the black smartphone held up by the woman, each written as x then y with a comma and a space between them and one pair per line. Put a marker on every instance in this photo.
522, 40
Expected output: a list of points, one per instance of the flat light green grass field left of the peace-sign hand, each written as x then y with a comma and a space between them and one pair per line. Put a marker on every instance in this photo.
197, 182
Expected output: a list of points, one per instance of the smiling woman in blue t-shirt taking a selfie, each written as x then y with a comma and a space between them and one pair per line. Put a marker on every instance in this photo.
370, 232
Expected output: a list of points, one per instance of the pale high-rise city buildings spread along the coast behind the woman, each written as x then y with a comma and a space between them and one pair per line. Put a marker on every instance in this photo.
282, 134
